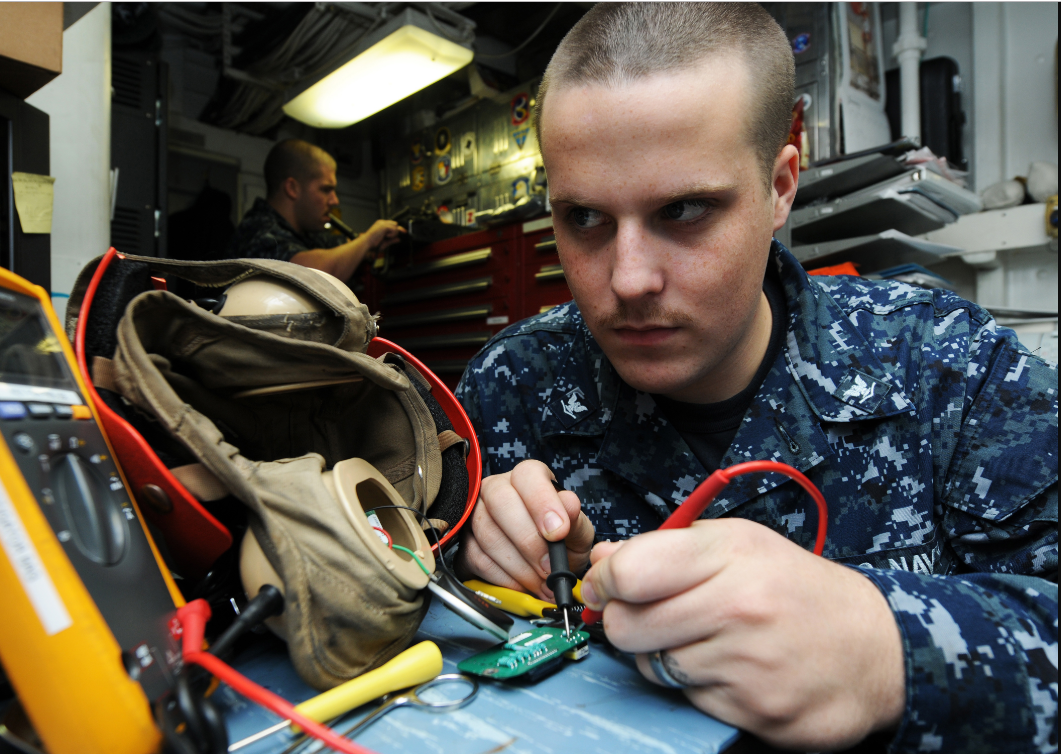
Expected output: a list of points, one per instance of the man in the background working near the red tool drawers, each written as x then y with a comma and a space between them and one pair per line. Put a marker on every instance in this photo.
289, 224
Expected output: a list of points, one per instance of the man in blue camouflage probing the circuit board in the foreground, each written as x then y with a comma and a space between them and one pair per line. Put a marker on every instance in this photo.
695, 342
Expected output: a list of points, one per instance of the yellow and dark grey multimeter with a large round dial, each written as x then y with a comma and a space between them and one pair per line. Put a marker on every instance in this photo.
88, 635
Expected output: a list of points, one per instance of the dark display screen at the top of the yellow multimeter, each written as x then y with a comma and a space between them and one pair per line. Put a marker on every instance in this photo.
30, 353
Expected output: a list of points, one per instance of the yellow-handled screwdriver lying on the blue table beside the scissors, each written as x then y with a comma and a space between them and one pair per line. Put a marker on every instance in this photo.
416, 665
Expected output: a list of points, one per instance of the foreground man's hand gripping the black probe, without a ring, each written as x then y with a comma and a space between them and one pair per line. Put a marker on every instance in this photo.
505, 543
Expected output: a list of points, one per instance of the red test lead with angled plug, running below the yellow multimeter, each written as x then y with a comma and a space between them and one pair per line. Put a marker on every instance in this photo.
194, 618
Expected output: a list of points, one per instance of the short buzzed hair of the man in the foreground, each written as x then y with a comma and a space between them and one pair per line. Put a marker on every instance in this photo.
616, 44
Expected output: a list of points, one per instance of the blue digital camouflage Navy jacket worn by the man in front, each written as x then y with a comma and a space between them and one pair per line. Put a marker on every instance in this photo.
932, 433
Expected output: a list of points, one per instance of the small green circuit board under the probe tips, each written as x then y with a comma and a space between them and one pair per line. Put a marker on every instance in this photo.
530, 655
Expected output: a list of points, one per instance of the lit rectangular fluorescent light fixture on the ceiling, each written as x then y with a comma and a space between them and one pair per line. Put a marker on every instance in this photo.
401, 59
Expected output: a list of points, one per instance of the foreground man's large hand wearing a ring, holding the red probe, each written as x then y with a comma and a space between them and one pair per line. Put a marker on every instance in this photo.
771, 638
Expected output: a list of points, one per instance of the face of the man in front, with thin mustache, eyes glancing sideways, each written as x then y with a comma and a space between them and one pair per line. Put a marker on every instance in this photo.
664, 225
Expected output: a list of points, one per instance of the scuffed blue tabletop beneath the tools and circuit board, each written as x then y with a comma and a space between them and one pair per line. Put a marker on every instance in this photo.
599, 706
